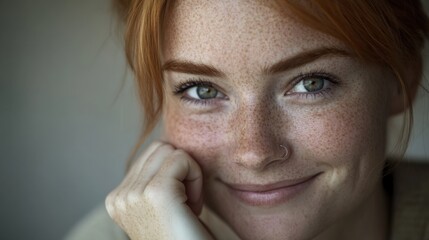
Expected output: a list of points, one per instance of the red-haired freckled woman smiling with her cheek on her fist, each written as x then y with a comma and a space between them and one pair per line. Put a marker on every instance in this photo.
274, 117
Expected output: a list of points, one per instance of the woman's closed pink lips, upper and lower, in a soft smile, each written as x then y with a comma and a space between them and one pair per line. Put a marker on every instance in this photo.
270, 194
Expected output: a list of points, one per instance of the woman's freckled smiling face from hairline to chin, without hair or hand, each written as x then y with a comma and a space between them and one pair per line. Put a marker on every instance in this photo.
242, 79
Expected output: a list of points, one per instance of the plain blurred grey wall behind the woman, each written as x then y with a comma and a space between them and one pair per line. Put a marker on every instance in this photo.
69, 115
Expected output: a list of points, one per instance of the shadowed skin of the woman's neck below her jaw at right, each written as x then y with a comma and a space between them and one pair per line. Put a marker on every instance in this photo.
370, 221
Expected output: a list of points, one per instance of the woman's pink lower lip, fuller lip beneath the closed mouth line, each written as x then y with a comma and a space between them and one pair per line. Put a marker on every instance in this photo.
272, 197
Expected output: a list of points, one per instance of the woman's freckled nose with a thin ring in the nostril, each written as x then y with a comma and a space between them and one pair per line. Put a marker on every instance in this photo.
257, 134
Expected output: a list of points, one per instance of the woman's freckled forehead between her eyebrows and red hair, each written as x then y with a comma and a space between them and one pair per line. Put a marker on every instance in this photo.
231, 33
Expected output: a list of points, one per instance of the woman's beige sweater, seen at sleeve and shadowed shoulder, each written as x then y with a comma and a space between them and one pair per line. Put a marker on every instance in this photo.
408, 185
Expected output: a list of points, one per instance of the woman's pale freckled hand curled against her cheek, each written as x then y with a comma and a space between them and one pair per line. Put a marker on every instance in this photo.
160, 197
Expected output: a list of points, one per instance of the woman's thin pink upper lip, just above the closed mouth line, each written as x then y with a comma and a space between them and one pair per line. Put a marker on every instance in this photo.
270, 186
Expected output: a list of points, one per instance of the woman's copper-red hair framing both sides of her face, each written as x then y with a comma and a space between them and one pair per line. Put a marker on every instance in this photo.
390, 33
